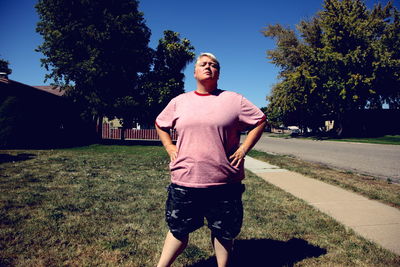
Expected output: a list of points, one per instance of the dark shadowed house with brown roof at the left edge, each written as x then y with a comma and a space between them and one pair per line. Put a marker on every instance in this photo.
37, 117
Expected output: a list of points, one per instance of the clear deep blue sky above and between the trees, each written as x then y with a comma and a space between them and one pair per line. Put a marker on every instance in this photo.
229, 29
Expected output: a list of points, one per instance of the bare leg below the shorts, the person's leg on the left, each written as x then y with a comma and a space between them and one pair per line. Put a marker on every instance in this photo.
172, 248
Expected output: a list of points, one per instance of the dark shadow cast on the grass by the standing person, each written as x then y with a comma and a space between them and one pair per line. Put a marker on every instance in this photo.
267, 252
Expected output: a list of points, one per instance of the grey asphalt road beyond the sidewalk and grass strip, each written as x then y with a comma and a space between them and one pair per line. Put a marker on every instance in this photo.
381, 161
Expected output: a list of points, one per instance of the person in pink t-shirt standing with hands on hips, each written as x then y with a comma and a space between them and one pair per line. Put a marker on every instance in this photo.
207, 161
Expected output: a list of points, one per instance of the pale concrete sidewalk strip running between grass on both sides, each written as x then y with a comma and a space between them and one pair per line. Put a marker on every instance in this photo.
371, 219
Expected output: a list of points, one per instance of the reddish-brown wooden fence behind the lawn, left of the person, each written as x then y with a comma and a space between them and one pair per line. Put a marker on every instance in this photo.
109, 132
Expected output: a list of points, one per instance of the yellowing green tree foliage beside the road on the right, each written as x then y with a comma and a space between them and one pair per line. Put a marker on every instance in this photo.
345, 59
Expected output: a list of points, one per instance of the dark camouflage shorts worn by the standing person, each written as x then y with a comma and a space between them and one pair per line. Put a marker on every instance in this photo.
222, 206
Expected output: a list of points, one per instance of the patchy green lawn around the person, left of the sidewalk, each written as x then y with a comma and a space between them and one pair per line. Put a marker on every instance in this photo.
104, 206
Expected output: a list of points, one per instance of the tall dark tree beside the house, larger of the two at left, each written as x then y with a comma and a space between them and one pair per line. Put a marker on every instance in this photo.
96, 51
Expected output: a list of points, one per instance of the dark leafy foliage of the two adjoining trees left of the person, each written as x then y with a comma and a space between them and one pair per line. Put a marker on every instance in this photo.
98, 52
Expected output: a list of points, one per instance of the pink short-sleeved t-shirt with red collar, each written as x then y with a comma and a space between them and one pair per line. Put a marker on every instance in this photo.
208, 128
